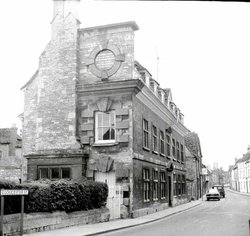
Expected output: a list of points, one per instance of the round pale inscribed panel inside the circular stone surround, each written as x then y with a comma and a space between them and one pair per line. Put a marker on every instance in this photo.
105, 60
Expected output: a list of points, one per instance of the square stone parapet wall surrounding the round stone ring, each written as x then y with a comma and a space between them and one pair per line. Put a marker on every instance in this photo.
120, 36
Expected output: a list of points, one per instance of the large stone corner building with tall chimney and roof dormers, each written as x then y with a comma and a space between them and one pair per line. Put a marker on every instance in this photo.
91, 110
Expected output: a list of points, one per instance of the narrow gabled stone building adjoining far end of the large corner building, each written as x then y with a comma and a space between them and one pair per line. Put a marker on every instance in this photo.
194, 166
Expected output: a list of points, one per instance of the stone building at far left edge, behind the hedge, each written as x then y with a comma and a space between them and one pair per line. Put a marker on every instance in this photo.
12, 164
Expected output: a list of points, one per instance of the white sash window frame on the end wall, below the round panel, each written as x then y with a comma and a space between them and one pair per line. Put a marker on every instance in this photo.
101, 141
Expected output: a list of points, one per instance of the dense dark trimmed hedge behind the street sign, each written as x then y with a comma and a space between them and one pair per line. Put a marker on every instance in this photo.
60, 195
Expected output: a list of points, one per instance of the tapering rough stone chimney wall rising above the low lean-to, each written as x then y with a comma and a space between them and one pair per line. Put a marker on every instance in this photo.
50, 98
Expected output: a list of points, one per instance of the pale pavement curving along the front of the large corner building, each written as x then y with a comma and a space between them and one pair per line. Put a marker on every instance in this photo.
95, 229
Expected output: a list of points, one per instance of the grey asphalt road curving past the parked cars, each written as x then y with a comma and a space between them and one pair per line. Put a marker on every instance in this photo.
227, 217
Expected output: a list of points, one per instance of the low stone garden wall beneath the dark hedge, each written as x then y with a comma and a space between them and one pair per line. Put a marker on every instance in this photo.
36, 222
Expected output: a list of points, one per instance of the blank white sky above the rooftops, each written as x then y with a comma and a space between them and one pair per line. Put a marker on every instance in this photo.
203, 50
